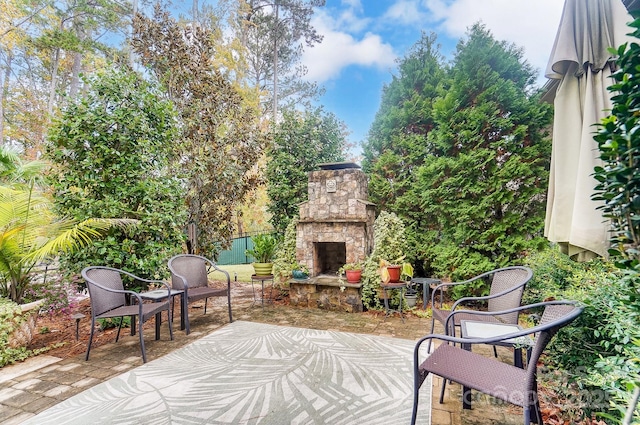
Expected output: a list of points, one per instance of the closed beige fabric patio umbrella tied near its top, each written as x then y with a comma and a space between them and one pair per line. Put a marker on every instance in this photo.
582, 65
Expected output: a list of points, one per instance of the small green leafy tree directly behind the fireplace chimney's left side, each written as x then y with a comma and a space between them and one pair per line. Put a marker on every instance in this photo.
301, 141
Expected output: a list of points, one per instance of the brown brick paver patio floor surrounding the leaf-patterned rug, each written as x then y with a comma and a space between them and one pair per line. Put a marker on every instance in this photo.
25, 394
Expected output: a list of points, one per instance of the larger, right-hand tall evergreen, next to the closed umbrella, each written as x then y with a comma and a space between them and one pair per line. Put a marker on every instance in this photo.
483, 184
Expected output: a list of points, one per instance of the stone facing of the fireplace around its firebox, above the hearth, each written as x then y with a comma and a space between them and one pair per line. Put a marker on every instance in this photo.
338, 211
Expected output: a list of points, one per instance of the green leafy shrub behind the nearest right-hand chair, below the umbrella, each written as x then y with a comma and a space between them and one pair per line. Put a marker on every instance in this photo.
596, 354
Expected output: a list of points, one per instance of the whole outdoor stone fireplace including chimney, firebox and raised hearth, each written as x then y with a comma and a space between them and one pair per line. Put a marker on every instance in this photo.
335, 227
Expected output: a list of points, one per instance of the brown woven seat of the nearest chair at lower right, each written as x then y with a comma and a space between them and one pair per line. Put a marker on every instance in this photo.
477, 372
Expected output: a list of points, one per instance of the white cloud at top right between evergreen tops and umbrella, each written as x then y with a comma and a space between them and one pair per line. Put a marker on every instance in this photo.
531, 24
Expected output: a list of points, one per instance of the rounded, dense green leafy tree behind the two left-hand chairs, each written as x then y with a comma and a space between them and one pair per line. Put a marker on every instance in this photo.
110, 153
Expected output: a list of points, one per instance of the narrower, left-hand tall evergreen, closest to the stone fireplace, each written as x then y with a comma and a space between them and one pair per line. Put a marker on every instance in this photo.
397, 142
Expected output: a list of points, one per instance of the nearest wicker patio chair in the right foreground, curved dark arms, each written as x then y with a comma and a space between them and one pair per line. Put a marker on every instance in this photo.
489, 375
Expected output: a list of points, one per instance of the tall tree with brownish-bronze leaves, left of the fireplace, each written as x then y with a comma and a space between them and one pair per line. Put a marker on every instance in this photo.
221, 139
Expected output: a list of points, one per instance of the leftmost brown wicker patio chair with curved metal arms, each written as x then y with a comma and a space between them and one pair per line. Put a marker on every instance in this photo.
109, 299
